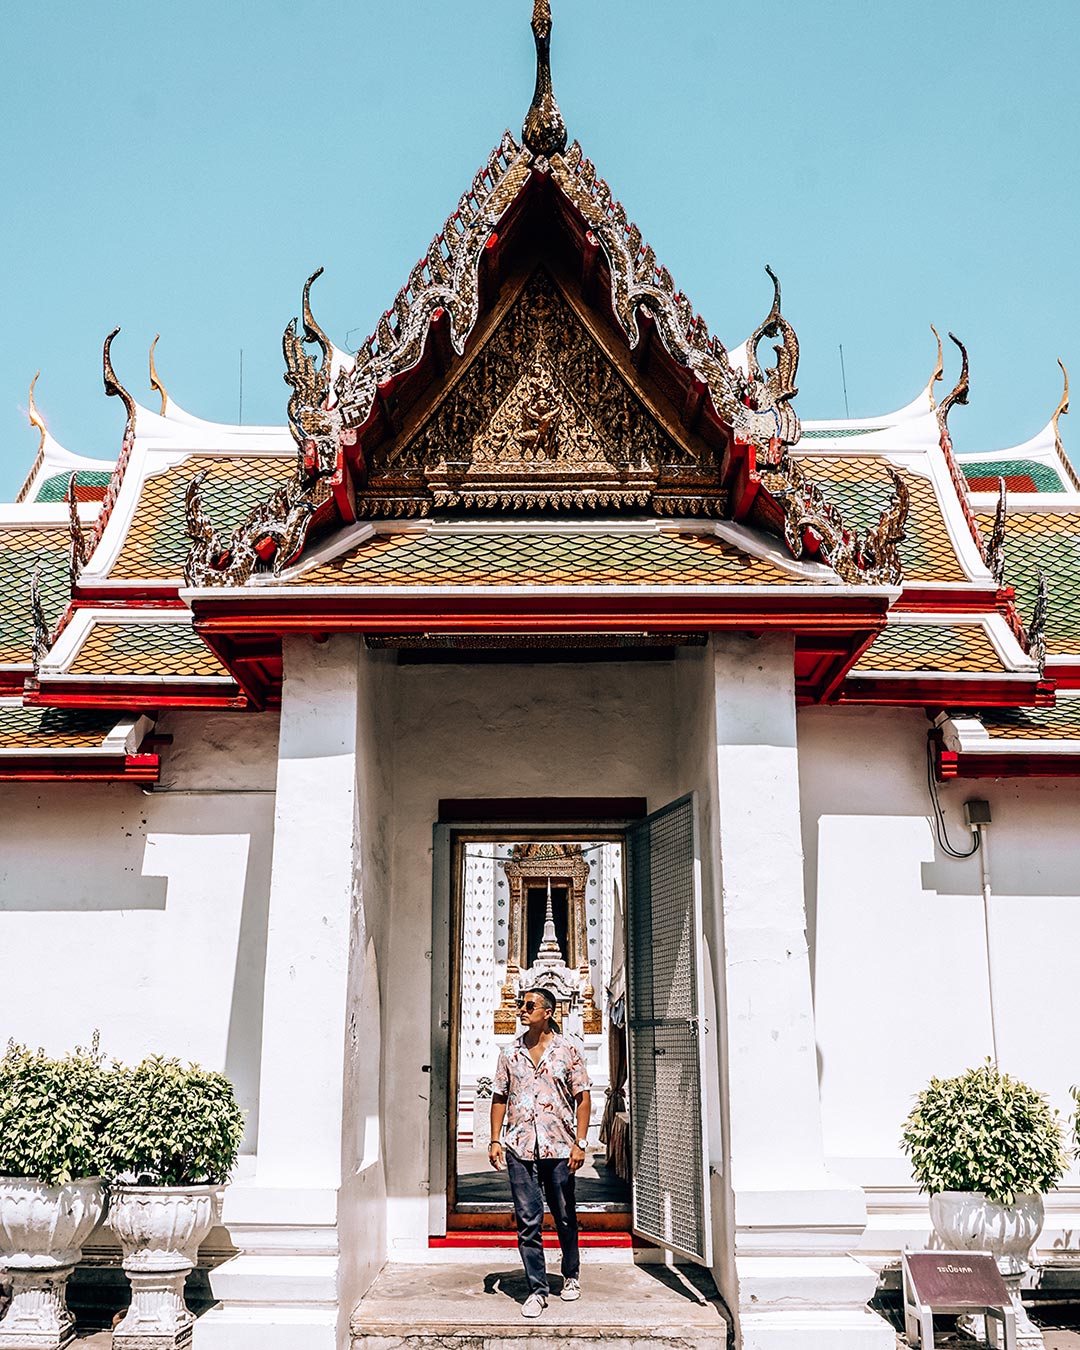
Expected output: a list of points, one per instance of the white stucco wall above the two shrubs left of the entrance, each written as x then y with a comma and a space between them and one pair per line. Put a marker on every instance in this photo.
141, 915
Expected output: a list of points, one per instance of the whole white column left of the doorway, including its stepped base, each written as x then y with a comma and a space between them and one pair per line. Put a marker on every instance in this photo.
286, 1293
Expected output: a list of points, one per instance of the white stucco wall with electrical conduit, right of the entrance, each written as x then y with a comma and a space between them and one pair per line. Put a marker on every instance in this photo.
897, 931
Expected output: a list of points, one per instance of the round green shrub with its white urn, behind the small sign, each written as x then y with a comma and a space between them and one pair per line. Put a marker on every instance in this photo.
986, 1148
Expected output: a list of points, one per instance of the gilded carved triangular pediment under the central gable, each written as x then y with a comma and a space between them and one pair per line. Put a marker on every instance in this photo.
542, 418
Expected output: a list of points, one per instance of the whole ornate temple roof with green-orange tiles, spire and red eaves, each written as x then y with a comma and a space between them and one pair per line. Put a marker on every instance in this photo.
542, 442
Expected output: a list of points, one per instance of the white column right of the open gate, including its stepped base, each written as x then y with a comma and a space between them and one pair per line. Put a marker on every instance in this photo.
793, 1224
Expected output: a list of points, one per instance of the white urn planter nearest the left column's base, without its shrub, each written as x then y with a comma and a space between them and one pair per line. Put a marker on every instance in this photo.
160, 1229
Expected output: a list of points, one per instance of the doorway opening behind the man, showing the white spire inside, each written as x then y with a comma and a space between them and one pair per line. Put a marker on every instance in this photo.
550, 911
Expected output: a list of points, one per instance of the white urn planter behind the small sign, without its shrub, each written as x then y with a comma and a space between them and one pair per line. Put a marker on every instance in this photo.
967, 1221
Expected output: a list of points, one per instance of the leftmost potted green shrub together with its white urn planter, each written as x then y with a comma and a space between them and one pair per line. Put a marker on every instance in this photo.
53, 1114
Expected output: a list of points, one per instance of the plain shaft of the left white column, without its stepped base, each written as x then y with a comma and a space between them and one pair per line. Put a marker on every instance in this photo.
317, 859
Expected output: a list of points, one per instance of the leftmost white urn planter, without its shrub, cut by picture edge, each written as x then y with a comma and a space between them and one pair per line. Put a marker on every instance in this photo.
43, 1231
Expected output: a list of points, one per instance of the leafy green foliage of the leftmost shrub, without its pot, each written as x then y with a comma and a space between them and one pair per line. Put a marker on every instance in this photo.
53, 1114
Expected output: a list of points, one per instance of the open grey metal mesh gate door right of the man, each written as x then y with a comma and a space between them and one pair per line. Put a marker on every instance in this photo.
665, 929
